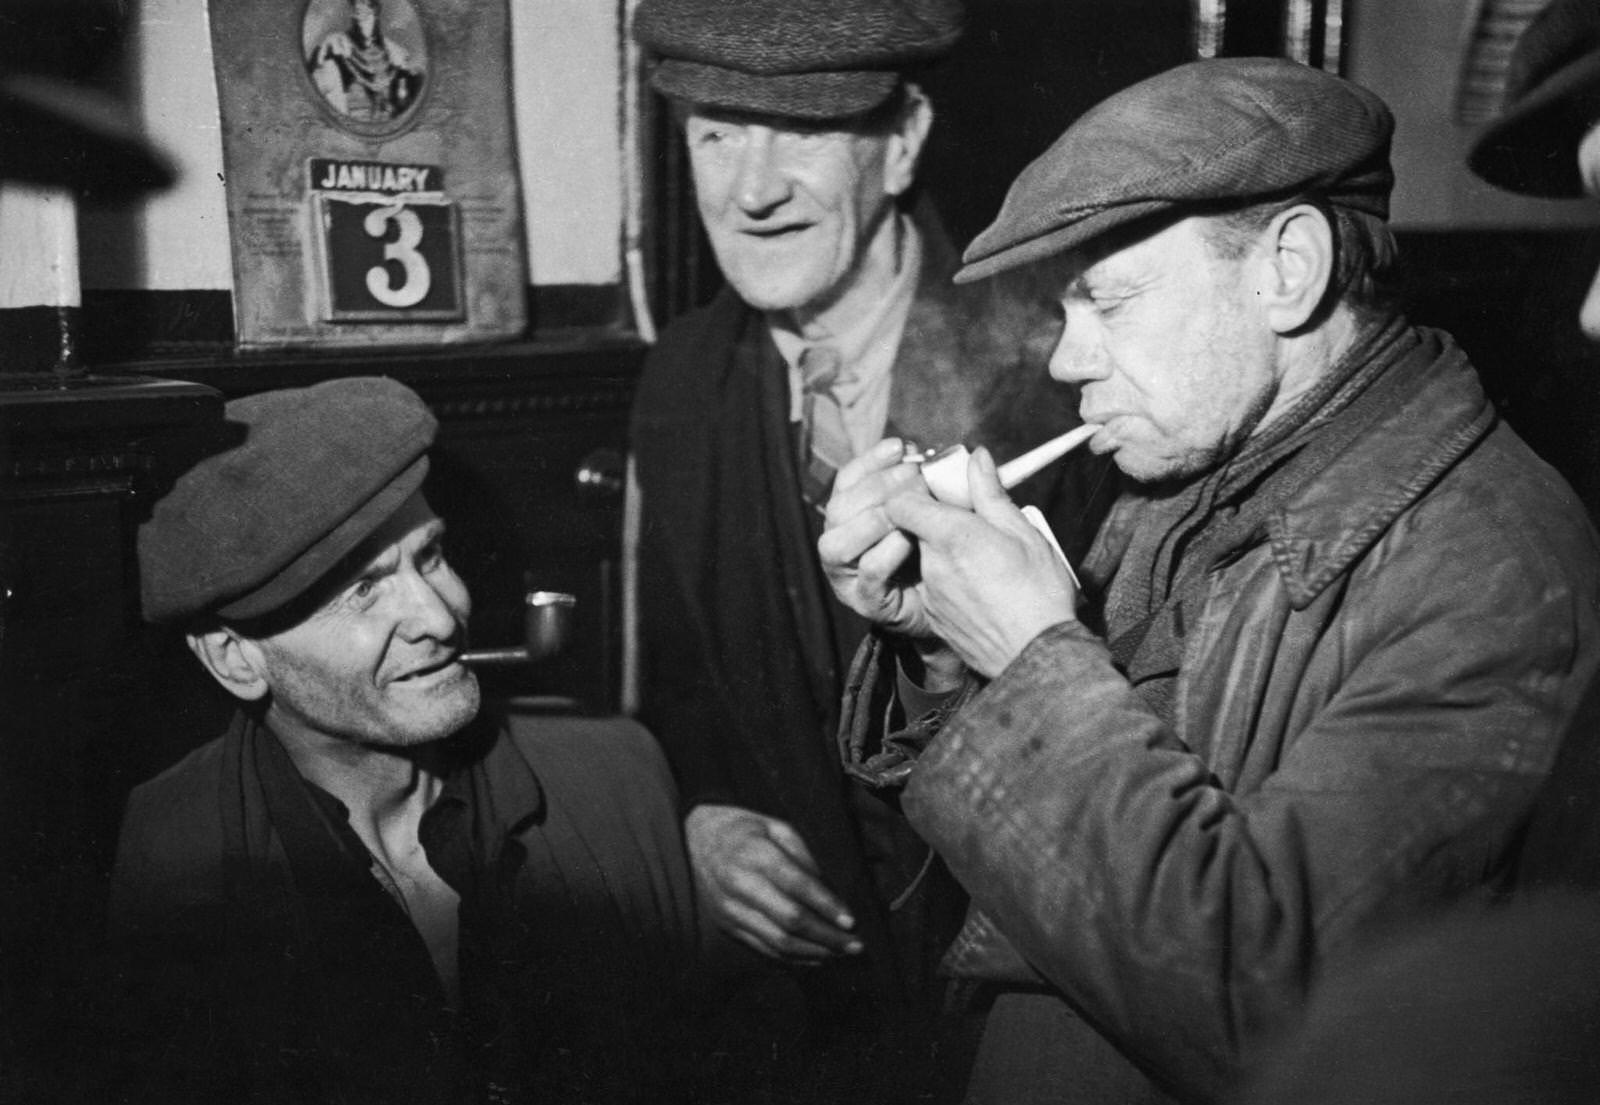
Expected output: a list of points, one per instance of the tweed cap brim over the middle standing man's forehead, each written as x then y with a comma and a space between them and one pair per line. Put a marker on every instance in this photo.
814, 97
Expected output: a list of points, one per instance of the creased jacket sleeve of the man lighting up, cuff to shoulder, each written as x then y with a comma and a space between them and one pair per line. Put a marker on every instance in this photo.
1178, 916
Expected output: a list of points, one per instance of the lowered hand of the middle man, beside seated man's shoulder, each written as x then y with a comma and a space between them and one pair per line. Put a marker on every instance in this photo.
764, 888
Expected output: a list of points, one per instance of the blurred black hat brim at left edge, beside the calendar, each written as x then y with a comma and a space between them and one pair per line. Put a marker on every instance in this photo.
73, 137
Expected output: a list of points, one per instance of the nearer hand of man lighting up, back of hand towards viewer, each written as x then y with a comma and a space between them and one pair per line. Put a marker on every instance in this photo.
990, 581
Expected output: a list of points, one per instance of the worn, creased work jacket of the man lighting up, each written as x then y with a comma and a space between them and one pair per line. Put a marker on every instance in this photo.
1370, 692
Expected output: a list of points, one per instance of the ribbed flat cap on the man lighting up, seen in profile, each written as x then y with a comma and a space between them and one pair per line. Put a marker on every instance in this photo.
1204, 134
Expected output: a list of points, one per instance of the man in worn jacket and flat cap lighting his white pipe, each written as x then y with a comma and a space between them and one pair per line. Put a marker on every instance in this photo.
1324, 648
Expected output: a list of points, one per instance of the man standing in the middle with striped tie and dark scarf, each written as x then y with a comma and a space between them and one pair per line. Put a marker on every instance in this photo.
839, 324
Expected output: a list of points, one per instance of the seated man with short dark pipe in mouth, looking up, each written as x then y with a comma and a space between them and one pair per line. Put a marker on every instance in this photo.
367, 890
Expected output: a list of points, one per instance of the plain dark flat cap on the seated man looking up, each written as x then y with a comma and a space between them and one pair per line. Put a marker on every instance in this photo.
313, 474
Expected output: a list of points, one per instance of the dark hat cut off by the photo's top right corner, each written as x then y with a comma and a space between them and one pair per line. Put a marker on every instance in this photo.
1553, 98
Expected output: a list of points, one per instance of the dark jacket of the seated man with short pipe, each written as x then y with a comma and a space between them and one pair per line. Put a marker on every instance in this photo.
262, 960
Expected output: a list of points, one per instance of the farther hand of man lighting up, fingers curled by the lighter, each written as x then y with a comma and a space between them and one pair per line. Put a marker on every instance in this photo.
862, 551
